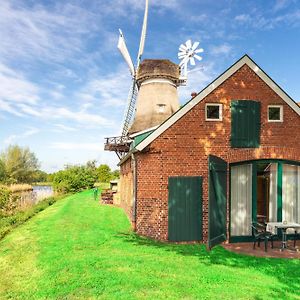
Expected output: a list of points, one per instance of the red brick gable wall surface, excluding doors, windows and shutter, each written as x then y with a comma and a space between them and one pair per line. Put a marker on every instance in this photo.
183, 149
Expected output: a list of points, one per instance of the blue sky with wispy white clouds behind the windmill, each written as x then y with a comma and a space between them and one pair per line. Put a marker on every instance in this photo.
64, 84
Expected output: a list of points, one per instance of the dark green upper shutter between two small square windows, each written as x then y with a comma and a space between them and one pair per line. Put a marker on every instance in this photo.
245, 124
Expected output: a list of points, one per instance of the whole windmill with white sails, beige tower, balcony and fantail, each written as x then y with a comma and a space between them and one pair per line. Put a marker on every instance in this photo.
153, 95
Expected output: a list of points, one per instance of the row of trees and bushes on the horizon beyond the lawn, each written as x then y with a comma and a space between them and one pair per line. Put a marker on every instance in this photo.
20, 165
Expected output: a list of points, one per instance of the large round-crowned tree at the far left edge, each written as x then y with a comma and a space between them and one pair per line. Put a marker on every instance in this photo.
20, 164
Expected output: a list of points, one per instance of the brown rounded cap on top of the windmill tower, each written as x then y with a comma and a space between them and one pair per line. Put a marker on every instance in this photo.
157, 68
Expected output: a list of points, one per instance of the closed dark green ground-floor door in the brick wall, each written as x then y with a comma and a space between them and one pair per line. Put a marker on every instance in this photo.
185, 209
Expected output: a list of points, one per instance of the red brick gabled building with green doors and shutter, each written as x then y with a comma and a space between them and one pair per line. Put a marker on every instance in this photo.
229, 156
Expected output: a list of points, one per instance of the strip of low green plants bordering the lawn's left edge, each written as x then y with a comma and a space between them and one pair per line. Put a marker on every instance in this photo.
9, 222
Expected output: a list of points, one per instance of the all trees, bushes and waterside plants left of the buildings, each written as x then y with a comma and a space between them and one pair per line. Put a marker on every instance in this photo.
20, 173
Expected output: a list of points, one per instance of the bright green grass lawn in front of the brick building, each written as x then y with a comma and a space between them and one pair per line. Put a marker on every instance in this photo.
78, 249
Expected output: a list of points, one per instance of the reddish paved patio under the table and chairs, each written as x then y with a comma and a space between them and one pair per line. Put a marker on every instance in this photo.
247, 248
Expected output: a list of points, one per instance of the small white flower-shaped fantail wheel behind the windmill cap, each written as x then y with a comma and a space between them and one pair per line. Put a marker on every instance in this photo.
188, 53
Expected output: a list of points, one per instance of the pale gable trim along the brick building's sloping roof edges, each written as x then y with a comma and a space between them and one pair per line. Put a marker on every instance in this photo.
245, 60
